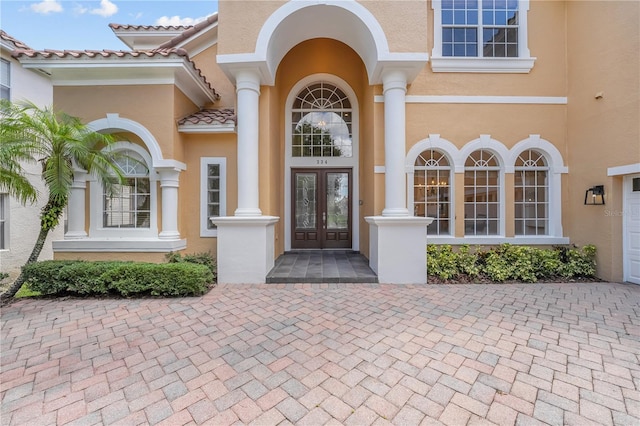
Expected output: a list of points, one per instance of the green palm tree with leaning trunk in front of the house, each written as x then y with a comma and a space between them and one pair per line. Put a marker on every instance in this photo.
61, 143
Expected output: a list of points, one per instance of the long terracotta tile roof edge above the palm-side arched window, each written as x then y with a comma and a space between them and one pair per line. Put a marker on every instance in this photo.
165, 52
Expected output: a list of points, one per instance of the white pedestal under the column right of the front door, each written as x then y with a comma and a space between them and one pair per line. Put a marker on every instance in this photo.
398, 248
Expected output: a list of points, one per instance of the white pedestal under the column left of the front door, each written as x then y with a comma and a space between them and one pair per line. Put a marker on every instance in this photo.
246, 251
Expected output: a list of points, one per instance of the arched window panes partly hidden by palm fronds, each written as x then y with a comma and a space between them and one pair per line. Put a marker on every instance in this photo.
128, 205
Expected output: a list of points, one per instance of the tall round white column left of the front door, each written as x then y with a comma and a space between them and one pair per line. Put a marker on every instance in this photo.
248, 92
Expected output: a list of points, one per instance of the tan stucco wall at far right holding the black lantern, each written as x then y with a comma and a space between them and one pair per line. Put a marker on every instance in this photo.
602, 132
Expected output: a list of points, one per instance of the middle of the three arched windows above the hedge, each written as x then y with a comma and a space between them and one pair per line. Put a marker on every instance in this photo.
482, 193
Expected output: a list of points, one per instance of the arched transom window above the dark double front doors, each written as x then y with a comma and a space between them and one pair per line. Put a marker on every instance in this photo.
321, 120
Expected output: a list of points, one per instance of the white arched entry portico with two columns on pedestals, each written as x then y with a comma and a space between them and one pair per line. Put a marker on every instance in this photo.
353, 25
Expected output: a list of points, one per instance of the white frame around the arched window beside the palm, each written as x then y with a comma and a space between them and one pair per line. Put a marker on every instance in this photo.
96, 228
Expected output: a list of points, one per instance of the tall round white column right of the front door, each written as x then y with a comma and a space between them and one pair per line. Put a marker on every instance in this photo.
394, 89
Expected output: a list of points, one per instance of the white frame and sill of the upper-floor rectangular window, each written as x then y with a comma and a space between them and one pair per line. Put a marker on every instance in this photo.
521, 64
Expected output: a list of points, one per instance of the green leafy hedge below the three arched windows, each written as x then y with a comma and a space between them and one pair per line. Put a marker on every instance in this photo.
507, 262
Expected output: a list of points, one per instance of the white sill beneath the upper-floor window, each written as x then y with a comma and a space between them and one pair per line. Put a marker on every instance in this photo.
482, 65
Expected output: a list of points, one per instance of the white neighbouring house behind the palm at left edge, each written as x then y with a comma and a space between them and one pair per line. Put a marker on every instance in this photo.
19, 224
